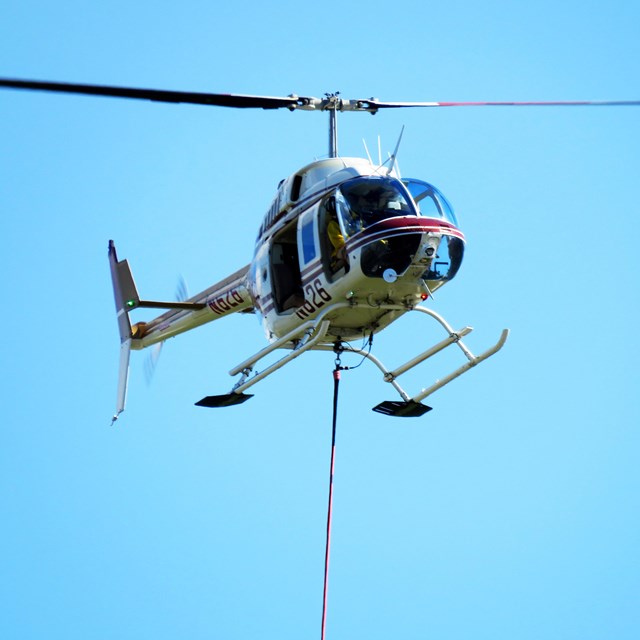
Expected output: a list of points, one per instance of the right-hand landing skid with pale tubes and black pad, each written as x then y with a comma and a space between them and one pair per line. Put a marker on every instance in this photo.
411, 406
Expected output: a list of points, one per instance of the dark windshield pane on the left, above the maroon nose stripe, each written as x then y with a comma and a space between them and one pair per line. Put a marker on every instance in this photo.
365, 201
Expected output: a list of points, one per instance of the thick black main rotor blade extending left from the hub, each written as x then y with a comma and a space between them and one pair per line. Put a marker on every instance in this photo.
214, 99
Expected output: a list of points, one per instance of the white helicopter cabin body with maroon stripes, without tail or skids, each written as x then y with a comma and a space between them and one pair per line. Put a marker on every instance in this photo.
296, 272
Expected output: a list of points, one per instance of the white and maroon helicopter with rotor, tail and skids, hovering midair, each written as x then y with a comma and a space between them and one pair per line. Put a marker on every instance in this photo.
346, 248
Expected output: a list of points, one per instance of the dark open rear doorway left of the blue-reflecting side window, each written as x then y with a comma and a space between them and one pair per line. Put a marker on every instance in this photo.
285, 270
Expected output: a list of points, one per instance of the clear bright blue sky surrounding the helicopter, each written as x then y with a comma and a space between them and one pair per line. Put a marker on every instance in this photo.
510, 511
